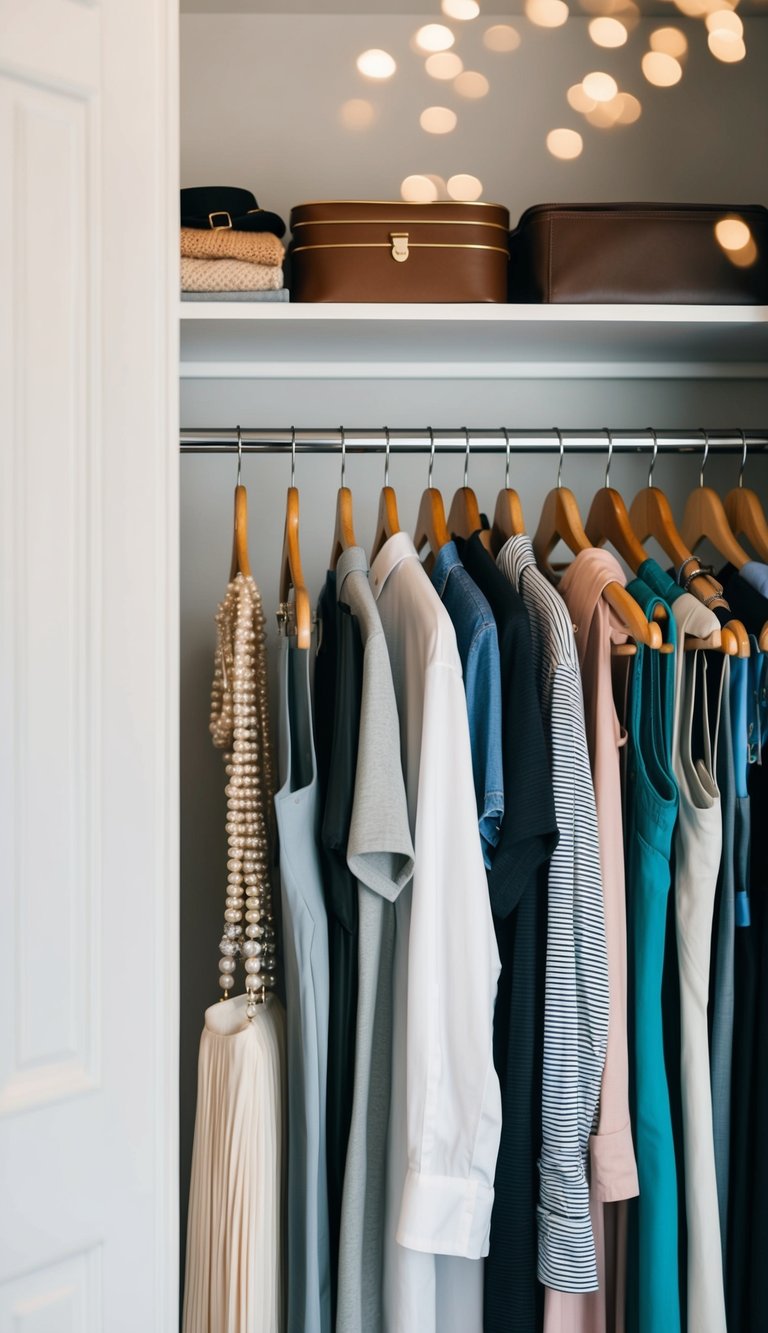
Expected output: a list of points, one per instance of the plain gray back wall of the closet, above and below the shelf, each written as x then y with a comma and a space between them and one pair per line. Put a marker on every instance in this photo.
261, 102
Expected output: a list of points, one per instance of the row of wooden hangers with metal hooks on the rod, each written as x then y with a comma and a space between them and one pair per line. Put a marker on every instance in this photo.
650, 515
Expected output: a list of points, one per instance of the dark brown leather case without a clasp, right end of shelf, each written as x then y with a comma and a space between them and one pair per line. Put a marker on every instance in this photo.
637, 253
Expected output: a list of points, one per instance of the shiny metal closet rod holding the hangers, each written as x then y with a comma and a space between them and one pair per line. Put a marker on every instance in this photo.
482, 441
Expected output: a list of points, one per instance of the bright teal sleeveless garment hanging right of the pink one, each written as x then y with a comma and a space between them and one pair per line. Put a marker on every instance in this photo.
653, 1276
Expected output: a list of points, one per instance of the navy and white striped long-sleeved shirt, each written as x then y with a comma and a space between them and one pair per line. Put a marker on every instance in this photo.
577, 983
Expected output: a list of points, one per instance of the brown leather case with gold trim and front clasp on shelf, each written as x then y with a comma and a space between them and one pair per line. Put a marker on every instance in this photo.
390, 251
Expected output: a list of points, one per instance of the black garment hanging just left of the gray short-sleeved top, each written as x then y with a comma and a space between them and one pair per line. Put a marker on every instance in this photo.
341, 890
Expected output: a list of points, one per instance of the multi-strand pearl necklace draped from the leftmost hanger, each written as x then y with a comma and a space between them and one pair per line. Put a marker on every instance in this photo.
241, 727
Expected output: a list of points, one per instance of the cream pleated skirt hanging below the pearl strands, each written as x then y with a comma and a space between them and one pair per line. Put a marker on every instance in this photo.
235, 1280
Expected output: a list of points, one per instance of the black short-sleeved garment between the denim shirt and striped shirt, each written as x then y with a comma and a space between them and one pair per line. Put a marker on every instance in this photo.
518, 888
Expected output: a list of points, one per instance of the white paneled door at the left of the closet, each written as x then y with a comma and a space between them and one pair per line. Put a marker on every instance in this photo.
89, 935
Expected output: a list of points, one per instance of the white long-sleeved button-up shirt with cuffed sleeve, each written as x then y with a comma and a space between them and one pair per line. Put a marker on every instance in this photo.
446, 1116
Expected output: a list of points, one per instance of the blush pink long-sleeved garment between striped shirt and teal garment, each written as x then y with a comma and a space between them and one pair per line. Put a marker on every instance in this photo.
614, 1174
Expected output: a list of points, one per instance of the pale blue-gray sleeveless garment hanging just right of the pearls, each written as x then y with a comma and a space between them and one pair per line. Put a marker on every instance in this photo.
307, 990
